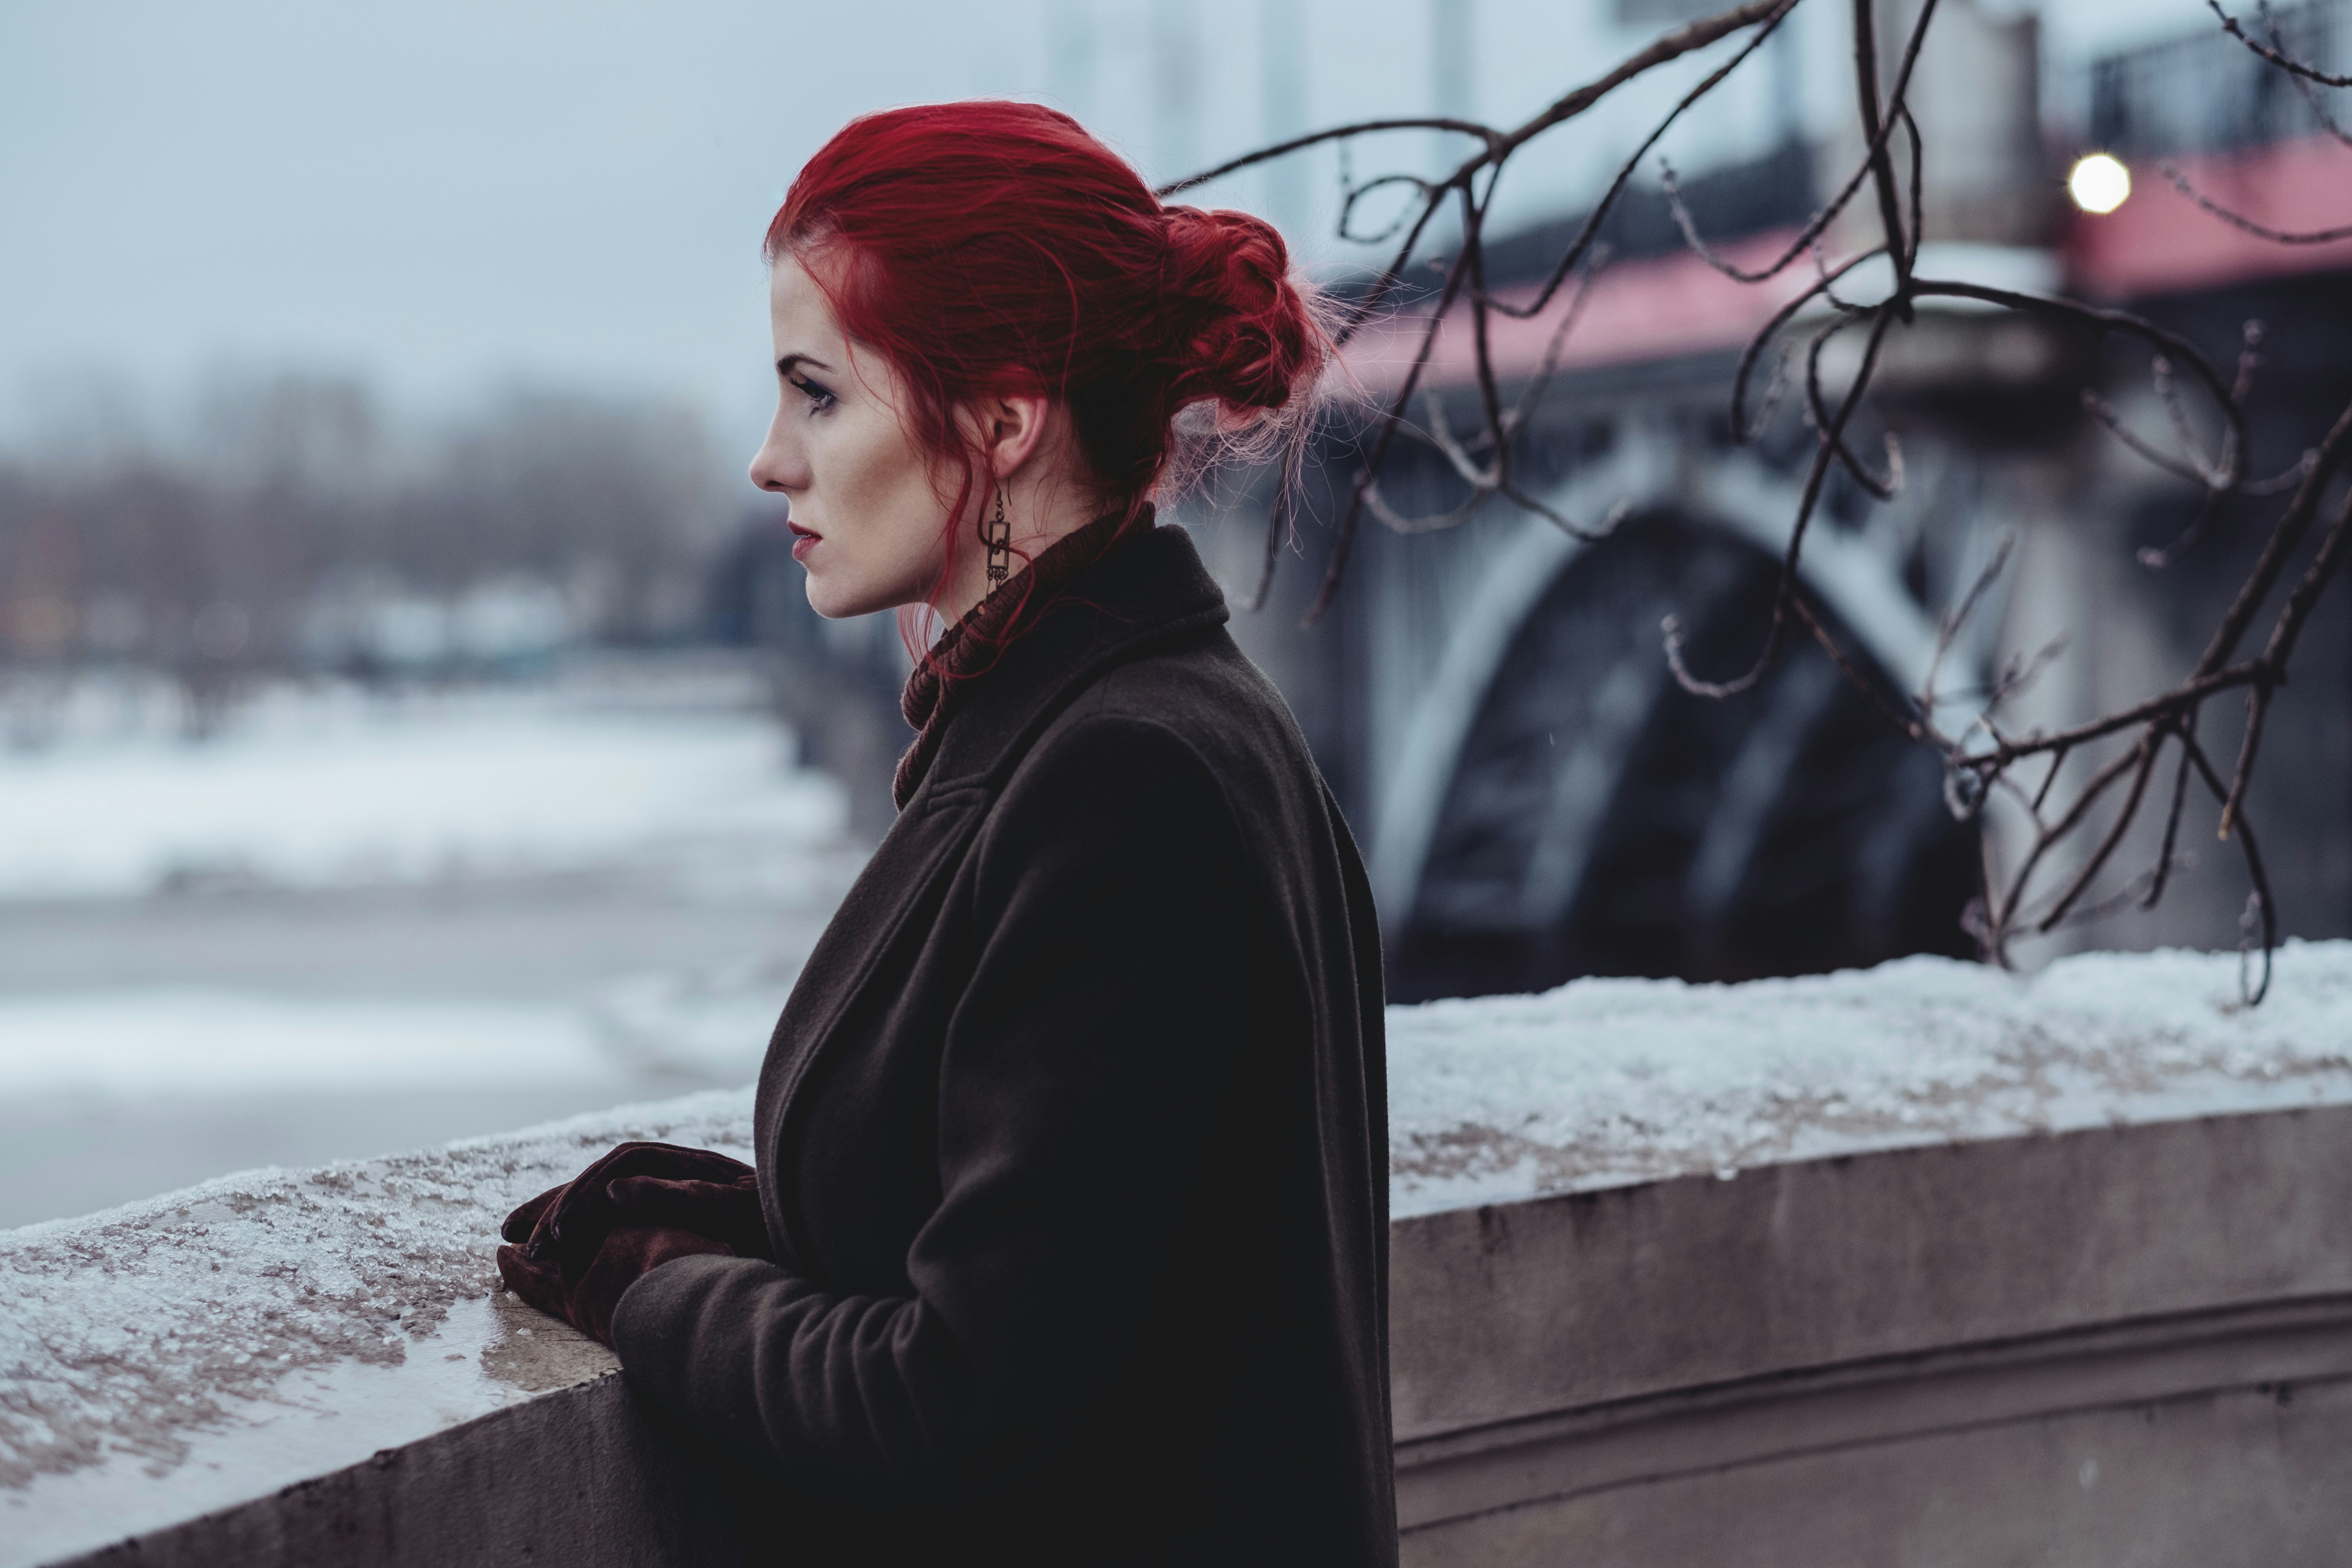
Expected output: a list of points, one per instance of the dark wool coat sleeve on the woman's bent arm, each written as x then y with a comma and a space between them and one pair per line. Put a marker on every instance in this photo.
1081, 1087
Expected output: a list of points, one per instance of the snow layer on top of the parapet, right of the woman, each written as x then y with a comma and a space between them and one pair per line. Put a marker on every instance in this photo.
1615, 1083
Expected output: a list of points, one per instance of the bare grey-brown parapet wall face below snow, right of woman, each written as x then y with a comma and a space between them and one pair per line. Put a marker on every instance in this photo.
2118, 1346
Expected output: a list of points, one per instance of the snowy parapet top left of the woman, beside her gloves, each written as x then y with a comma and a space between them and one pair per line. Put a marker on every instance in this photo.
281, 1325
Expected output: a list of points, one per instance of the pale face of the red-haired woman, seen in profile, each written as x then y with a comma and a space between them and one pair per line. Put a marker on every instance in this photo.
867, 516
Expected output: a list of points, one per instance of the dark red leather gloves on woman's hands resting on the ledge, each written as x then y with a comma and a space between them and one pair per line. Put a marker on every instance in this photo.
573, 1249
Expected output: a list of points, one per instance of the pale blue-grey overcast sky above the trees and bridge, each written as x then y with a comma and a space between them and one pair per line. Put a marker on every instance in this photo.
453, 194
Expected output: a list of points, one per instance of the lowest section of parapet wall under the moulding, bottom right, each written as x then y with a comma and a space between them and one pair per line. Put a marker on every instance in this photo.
2191, 1480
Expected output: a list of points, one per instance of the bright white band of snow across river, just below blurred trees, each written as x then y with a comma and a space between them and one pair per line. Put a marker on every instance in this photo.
338, 786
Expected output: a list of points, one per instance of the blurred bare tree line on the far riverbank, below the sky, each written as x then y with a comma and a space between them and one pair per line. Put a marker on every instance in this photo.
290, 525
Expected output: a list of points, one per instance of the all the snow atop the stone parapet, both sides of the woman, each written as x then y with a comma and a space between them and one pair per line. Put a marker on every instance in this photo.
281, 1325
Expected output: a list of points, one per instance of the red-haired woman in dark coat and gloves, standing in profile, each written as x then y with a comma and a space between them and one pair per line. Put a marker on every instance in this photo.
1069, 1228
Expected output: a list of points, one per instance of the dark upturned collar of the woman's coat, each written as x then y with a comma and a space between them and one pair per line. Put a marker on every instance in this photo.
1144, 591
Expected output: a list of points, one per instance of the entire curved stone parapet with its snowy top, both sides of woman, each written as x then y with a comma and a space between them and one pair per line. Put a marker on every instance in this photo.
1906, 1268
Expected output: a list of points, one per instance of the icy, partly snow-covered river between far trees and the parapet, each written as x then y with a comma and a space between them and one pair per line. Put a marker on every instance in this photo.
352, 930
